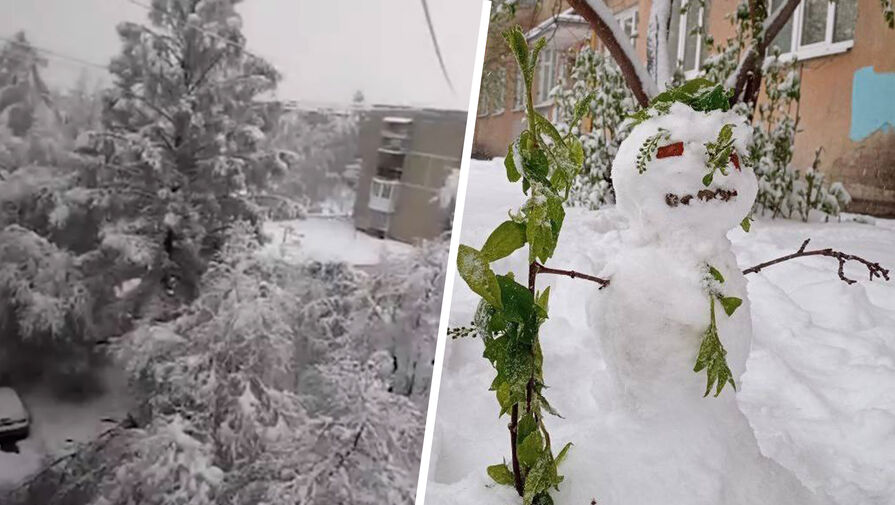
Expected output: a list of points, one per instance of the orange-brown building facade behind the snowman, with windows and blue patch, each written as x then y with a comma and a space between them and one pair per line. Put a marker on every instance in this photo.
846, 56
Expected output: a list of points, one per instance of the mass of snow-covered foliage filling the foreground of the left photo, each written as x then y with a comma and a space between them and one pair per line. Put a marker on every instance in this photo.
268, 388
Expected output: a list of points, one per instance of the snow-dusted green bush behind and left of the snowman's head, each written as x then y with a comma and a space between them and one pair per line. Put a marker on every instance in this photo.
603, 127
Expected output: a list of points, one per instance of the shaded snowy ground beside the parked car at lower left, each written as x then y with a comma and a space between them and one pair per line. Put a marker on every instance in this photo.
58, 426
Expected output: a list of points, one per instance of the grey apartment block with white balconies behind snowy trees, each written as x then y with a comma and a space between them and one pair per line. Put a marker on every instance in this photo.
405, 156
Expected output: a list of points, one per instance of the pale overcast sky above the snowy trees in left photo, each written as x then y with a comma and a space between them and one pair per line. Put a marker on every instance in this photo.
325, 49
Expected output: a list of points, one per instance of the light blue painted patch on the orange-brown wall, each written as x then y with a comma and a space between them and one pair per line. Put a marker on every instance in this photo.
872, 103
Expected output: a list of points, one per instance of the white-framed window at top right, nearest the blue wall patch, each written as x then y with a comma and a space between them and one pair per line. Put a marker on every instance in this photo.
817, 28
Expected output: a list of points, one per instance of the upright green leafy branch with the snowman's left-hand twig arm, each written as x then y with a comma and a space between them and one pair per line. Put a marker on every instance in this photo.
509, 314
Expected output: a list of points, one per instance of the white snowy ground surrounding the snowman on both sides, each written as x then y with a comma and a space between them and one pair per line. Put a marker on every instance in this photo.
819, 380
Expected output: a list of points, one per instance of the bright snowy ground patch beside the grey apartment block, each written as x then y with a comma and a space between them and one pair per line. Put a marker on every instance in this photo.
328, 239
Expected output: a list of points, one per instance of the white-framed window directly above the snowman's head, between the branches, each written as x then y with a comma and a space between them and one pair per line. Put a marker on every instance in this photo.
687, 43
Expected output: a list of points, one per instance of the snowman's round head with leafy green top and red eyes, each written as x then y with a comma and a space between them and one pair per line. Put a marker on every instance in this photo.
683, 167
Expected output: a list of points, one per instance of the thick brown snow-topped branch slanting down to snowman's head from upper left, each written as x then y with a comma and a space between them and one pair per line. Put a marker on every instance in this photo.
605, 26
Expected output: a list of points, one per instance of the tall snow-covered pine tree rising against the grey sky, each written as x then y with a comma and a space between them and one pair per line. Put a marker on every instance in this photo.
183, 142
